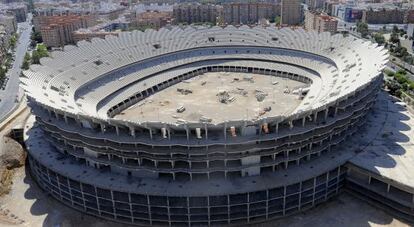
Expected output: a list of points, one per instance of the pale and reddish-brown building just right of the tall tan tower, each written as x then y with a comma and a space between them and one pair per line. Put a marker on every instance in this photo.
320, 22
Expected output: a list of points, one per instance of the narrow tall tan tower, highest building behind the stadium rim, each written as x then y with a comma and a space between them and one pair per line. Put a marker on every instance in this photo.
291, 13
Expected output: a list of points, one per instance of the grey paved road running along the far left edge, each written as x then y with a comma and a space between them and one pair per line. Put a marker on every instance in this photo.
10, 95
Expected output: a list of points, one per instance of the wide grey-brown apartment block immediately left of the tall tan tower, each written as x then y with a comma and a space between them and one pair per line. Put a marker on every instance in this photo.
249, 13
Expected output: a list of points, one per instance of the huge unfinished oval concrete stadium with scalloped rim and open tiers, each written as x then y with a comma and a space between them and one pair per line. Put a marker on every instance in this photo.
197, 167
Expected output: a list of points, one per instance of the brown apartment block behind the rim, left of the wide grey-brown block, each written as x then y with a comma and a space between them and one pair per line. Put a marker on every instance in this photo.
196, 13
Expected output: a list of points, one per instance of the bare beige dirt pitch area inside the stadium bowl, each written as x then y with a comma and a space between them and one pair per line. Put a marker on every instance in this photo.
219, 96
